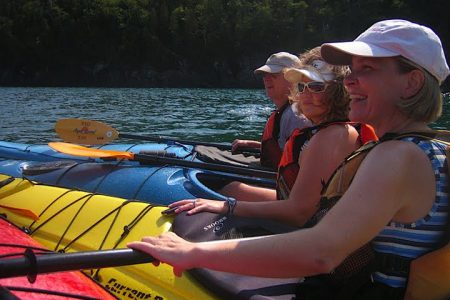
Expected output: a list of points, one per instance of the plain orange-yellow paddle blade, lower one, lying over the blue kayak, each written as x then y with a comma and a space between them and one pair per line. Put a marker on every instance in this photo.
78, 150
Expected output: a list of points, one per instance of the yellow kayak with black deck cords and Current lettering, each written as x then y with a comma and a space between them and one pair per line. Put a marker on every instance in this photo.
72, 221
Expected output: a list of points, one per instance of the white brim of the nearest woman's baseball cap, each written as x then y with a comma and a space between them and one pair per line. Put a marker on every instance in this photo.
341, 53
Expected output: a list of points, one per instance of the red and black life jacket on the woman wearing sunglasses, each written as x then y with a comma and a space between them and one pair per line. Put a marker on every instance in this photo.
288, 167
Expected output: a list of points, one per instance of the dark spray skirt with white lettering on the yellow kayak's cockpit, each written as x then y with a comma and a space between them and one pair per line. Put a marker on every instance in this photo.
209, 227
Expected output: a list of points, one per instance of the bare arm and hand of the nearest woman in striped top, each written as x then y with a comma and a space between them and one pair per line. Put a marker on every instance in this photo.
385, 187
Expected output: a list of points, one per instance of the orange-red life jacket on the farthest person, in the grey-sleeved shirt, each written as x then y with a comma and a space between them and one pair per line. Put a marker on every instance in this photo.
270, 149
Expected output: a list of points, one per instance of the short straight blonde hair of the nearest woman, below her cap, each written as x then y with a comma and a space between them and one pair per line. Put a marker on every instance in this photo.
426, 104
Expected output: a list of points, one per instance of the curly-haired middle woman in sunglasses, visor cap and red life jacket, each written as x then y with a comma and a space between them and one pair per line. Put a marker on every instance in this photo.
320, 94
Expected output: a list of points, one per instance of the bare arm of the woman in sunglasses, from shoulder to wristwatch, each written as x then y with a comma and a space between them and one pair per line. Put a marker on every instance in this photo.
325, 151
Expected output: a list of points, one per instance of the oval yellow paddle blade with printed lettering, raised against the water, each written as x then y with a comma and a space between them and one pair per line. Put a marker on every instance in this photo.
85, 131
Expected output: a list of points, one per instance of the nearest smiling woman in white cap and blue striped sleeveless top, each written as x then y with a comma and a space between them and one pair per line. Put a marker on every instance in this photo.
394, 194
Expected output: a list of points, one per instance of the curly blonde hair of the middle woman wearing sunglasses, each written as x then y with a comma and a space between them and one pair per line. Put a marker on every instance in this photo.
336, 96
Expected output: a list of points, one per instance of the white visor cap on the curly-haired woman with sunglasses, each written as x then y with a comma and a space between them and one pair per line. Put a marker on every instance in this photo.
318, 70
